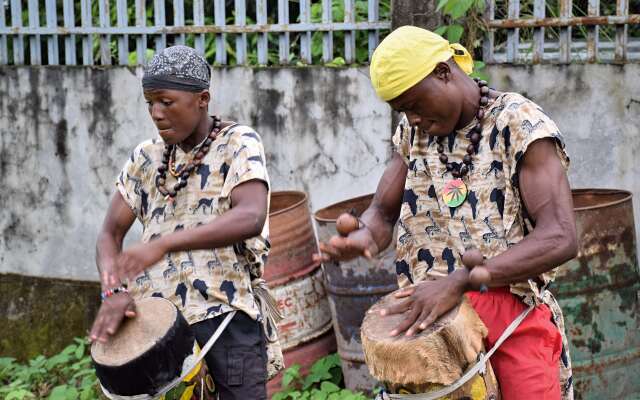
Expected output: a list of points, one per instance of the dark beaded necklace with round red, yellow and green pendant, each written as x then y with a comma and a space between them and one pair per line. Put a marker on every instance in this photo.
455, 191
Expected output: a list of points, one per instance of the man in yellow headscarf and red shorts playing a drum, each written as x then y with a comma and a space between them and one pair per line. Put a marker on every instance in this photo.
479, 169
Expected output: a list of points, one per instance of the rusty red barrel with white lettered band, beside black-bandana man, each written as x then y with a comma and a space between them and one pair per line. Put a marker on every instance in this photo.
297, 283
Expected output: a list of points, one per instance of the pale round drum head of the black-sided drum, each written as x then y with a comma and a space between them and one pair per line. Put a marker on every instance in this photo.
154, 317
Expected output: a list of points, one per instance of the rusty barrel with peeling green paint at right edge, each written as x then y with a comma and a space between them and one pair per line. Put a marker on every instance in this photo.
598, 292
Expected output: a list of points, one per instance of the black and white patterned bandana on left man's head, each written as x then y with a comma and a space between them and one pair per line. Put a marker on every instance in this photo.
178, 68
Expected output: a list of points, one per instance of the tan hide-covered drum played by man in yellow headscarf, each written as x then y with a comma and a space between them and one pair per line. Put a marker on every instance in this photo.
431, 360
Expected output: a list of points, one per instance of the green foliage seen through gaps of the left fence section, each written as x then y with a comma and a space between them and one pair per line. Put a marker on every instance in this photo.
361, 15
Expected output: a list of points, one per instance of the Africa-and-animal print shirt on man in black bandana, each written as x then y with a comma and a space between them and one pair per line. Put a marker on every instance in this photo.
201, 283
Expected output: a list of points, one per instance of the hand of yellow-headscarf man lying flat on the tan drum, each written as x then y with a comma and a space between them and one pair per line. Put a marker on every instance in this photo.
426, 301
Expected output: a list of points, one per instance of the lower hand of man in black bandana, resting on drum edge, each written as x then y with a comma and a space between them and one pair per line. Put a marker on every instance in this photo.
110, 316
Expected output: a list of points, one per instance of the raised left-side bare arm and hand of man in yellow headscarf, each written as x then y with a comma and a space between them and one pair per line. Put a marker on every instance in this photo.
379, 219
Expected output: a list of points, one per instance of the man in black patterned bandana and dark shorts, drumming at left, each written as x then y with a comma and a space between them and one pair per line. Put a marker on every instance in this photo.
201, 193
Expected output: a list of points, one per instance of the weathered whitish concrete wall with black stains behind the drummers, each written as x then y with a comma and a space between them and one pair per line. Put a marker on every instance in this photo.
65, 132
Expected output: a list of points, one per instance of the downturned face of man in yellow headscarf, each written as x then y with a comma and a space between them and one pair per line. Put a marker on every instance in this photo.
433, 105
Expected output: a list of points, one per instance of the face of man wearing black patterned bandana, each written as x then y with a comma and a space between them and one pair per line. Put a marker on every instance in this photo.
175, 113
